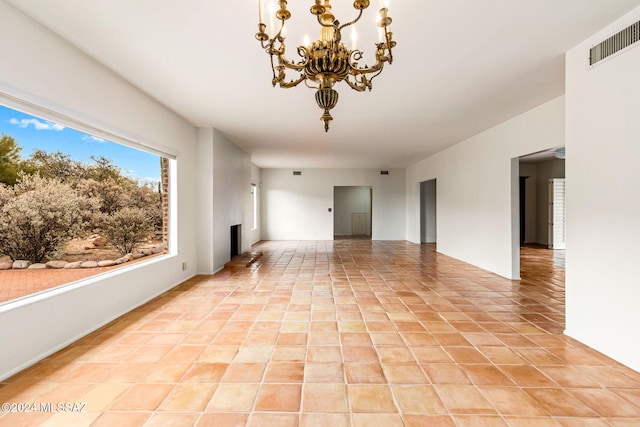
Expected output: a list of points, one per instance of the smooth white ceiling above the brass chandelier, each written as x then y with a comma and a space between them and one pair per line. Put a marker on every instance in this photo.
460, 67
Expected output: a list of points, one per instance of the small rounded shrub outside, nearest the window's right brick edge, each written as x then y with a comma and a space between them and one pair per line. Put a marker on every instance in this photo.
126, 229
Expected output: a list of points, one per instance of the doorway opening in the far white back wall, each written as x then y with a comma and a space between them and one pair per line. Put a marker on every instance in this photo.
352, 212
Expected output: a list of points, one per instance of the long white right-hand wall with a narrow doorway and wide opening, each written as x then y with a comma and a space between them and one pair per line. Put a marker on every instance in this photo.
477, 188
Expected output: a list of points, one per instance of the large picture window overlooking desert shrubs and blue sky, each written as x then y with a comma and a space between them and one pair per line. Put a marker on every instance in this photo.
74, 204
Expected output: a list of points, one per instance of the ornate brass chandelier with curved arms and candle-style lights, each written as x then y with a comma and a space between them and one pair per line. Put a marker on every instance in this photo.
327, 60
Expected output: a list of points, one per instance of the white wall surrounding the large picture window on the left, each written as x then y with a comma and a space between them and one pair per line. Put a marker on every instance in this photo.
40, 68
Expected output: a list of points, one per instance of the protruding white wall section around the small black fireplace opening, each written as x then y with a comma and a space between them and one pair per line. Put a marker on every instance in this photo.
224, 196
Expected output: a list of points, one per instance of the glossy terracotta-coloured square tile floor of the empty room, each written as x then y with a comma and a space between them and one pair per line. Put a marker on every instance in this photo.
343, 333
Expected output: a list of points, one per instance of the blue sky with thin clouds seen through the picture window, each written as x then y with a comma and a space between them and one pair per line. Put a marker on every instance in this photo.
31, 132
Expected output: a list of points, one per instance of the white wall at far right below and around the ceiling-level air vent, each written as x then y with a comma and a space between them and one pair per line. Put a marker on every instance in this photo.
603, 207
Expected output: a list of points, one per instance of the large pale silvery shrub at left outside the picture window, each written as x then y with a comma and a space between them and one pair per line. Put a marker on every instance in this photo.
39, 216
